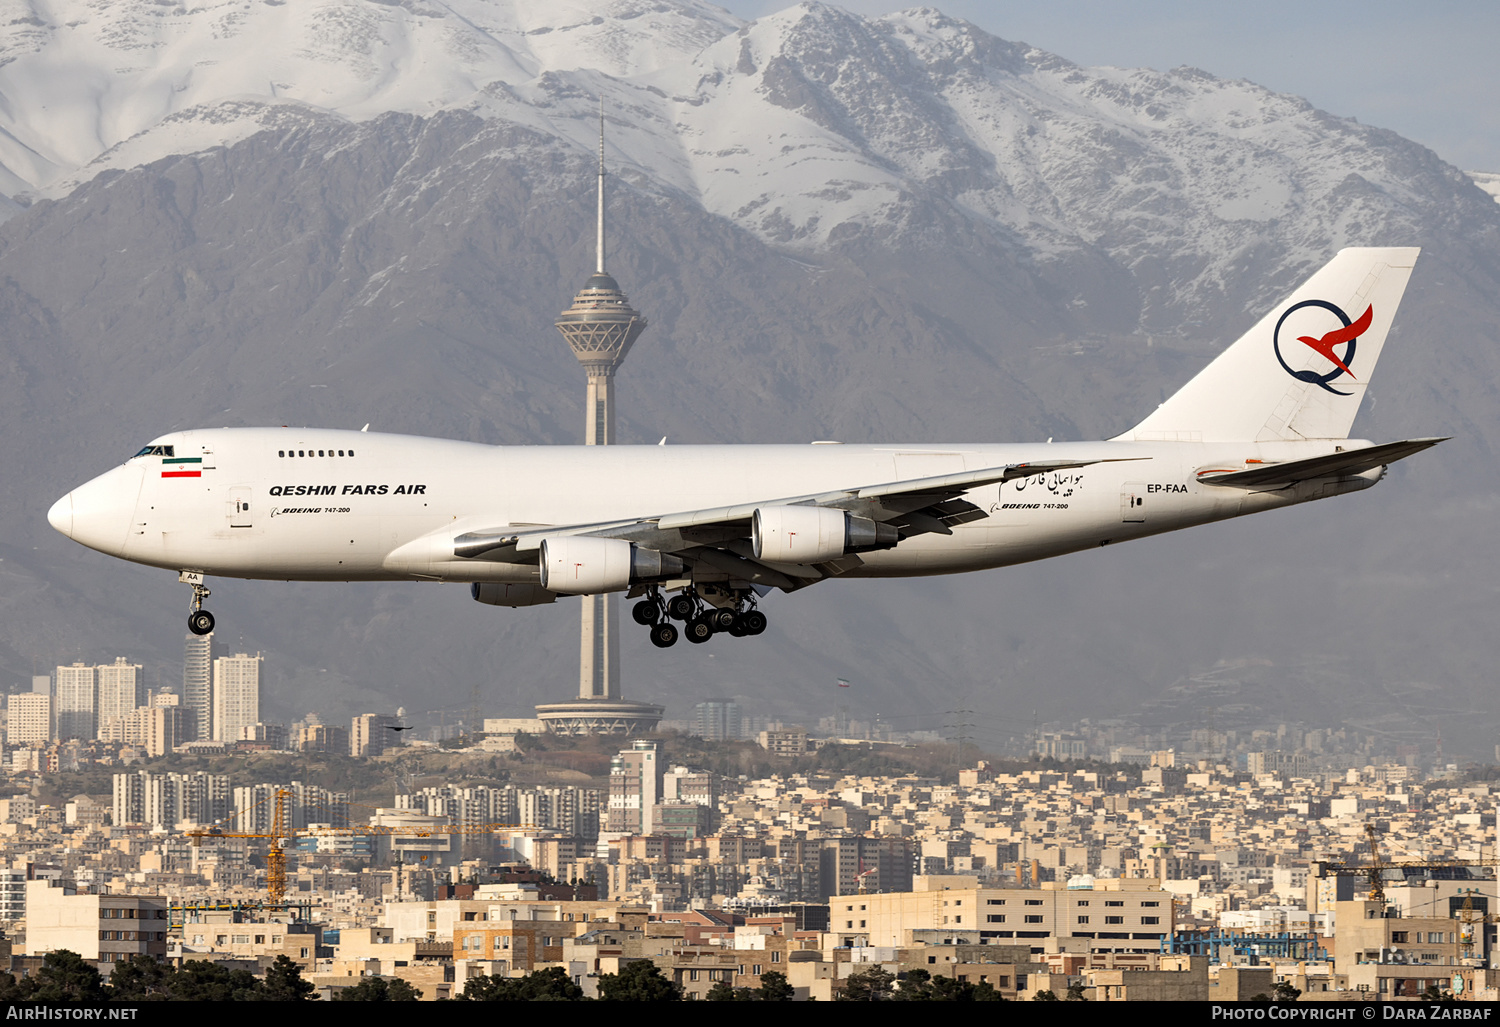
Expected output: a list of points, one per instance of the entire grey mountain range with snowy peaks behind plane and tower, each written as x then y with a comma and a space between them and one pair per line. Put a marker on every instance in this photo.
902, 229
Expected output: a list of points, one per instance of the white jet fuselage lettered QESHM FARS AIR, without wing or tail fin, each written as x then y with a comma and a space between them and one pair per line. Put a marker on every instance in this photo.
392, 506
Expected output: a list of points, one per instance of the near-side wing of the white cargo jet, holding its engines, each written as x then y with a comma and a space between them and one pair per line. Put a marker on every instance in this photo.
721, 536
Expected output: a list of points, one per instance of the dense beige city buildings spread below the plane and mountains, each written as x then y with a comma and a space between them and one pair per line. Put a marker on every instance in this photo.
1271, 863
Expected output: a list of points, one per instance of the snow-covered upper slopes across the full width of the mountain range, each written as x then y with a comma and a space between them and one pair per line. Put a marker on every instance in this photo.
805, 128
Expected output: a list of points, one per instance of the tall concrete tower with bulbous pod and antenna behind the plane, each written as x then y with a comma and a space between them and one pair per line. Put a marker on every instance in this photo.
601, 326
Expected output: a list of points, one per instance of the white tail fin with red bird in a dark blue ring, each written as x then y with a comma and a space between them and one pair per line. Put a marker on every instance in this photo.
1301, 373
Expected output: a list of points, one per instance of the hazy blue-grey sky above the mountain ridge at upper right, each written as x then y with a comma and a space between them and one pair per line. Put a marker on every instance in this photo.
1429, 71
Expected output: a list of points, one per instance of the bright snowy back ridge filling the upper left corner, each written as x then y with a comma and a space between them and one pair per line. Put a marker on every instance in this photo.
145, 79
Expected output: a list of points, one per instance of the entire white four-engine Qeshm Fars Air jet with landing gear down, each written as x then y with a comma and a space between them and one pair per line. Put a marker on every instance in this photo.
698, 534
